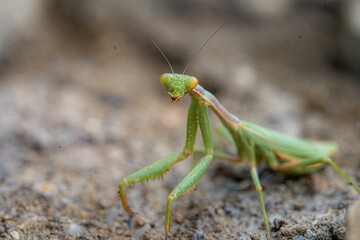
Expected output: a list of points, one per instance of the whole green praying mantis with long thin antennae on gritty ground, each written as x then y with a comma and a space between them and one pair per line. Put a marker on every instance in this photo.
281, 152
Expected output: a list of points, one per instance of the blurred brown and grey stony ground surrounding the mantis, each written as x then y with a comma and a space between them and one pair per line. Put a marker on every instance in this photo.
82, 107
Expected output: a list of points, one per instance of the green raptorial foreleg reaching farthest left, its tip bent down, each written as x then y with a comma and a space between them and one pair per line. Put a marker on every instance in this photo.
158, 168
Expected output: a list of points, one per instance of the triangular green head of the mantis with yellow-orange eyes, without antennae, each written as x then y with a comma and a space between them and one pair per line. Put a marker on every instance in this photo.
178, 84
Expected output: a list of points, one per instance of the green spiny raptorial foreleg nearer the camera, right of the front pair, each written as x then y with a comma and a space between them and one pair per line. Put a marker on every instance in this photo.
198, 170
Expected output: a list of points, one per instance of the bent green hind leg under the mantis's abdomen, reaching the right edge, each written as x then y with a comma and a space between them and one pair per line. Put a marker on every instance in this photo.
307, 166
